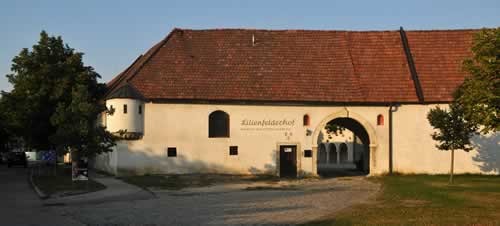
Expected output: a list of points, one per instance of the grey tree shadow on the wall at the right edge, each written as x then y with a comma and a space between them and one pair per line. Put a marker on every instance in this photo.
488, 152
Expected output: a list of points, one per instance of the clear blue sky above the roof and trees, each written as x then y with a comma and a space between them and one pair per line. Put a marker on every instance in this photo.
113, 33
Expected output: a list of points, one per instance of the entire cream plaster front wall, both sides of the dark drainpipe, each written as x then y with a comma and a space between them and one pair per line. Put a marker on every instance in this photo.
185, 126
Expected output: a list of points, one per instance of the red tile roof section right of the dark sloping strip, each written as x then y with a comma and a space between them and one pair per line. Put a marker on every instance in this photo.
438, 57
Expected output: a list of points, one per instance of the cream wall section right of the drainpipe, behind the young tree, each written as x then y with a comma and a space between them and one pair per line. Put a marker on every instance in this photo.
415, 150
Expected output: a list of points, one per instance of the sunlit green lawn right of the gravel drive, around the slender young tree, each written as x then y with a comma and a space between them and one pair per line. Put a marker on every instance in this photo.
427, 200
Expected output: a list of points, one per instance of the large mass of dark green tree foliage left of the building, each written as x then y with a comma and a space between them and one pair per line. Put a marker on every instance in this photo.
54, 94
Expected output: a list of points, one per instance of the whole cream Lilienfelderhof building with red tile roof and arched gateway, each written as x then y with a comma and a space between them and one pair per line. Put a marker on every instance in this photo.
241, 101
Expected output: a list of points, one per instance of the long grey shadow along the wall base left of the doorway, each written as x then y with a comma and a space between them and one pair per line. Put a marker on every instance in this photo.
140, 162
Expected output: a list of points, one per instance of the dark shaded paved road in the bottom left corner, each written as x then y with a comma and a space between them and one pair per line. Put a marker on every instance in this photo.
19, 205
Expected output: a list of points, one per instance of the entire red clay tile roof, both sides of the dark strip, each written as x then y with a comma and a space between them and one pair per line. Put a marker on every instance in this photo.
299, 65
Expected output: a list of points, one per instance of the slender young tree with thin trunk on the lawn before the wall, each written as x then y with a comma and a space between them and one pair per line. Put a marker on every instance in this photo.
453, 130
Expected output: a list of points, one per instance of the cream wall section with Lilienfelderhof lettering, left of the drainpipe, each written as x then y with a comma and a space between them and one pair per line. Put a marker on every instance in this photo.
185, 126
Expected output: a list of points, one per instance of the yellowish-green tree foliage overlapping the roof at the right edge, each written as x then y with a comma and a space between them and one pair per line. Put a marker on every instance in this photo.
480, 93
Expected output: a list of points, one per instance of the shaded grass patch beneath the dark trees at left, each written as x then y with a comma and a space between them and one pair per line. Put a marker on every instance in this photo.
61, 183
